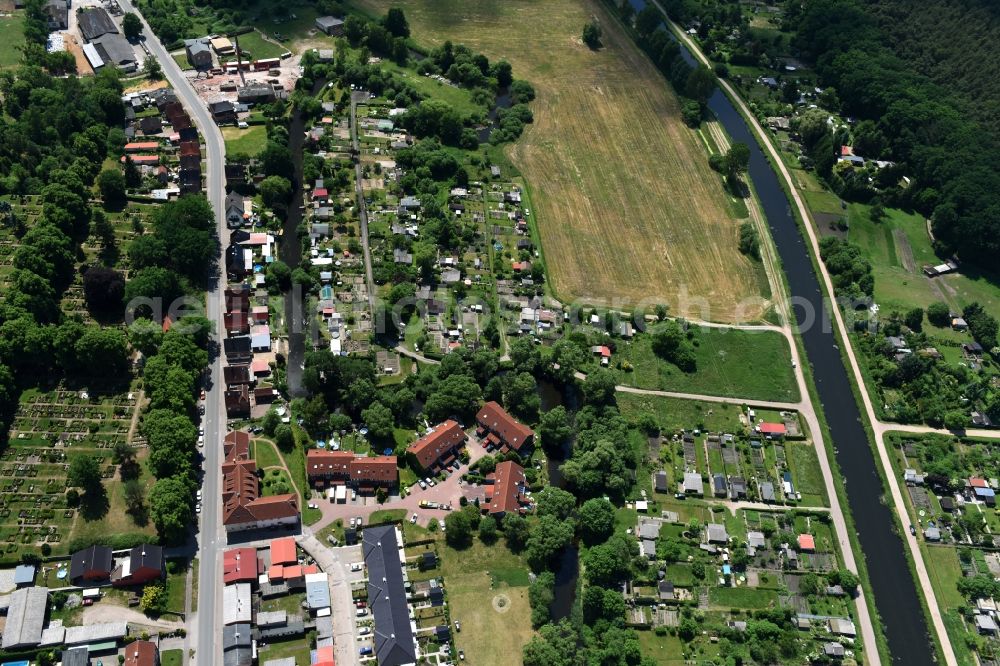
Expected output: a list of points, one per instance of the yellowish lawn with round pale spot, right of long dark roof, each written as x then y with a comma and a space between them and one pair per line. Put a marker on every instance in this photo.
495, 617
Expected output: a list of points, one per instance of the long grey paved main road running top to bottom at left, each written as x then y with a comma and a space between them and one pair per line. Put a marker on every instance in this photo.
206, 631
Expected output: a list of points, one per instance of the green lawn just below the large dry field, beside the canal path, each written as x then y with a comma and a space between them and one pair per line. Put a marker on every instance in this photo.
751, 365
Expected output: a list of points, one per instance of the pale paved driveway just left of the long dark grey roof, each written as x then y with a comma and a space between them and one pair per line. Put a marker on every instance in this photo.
336, 562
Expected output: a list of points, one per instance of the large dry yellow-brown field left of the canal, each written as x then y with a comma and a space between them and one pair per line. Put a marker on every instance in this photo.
627, 206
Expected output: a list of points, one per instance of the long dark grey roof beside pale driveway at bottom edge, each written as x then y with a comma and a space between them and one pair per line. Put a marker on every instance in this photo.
387, 597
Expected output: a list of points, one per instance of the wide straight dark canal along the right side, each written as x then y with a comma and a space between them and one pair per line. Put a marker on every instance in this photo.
883, 550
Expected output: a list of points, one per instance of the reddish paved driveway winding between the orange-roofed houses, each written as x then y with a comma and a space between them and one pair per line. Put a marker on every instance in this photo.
444, 492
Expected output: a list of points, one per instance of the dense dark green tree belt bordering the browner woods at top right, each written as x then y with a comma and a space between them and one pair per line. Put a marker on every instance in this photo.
927, 128
